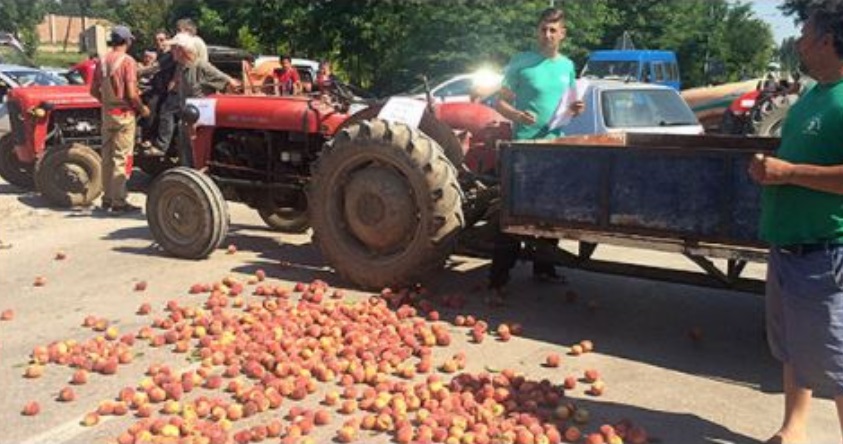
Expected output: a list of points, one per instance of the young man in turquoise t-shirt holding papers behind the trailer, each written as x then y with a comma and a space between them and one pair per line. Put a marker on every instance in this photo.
534, 83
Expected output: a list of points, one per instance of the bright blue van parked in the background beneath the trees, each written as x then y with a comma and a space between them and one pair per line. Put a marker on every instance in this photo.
645, 66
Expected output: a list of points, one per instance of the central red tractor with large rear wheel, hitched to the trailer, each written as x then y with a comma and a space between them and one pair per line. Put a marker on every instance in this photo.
385, 199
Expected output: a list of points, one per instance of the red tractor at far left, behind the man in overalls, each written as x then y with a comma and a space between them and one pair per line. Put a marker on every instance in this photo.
54, 144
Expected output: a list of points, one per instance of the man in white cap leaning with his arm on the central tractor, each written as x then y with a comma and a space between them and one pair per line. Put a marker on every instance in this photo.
195, 78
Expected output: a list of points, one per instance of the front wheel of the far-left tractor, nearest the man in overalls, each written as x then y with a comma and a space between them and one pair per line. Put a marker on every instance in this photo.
70, 176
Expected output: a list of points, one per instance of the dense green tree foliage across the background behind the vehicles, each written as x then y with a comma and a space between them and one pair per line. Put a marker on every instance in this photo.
386, 44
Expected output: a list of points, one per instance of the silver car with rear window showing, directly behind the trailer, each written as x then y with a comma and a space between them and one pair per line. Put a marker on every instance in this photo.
615, 106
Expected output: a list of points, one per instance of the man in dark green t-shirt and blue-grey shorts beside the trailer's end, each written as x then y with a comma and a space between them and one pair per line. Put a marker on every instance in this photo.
802, 219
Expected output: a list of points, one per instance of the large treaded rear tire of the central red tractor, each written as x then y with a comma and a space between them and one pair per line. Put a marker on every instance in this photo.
385, 205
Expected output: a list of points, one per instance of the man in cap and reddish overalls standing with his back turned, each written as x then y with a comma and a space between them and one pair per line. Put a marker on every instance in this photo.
115, 85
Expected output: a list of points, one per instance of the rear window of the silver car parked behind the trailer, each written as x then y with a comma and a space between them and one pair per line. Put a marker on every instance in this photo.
639, 108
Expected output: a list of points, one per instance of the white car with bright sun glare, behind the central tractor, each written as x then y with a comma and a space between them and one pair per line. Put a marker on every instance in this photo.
461, 87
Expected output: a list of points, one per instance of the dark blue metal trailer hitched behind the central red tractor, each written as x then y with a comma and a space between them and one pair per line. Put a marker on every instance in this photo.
683, 194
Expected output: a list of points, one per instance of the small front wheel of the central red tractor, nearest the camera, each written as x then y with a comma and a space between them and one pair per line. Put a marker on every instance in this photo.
186, 213
